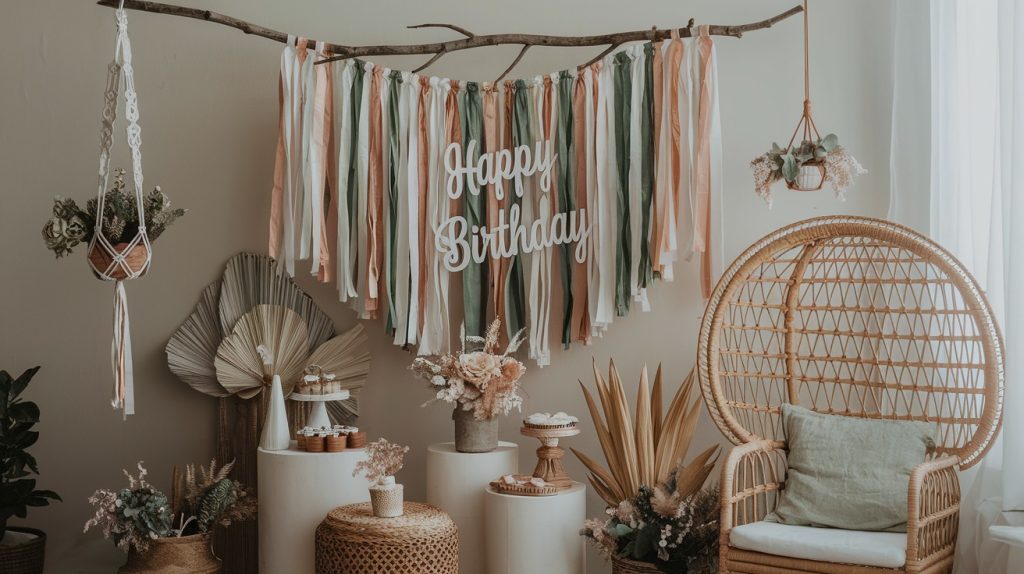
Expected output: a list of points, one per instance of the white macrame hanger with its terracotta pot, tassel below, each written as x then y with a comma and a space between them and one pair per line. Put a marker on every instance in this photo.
123, 261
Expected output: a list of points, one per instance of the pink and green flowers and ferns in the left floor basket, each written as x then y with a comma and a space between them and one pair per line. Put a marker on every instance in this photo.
141, 516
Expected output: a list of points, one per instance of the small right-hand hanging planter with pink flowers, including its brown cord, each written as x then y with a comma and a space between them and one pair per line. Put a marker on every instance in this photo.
808, 165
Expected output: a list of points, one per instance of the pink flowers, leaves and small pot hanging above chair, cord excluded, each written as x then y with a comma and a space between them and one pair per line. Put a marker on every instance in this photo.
806, 167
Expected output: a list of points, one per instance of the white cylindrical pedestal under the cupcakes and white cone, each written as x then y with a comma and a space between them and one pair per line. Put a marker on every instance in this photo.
296, 491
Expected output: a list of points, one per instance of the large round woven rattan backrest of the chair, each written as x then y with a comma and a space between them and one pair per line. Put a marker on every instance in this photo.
857, 318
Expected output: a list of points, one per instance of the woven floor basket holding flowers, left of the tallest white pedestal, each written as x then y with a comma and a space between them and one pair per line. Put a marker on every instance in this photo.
186, 555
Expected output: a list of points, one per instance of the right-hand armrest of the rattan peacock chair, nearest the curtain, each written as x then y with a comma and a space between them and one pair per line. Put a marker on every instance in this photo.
933, 507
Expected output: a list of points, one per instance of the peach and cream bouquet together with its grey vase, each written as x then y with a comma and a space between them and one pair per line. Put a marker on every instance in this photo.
481, 384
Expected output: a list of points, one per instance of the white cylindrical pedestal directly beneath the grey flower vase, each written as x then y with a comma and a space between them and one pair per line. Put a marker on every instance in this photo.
455, 484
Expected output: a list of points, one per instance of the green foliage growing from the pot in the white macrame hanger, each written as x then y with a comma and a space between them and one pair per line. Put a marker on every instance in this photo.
72, 225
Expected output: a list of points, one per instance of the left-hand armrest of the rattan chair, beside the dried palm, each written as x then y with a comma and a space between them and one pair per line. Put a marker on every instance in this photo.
752, 476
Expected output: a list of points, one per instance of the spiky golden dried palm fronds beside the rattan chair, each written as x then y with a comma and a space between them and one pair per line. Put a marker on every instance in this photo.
650, 451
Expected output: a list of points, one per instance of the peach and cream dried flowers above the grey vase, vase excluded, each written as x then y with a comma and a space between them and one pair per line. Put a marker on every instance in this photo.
485, 382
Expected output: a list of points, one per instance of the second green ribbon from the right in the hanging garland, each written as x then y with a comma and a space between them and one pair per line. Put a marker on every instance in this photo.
623, 94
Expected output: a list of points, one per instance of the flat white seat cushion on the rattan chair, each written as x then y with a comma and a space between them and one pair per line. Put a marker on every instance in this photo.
884, 550
